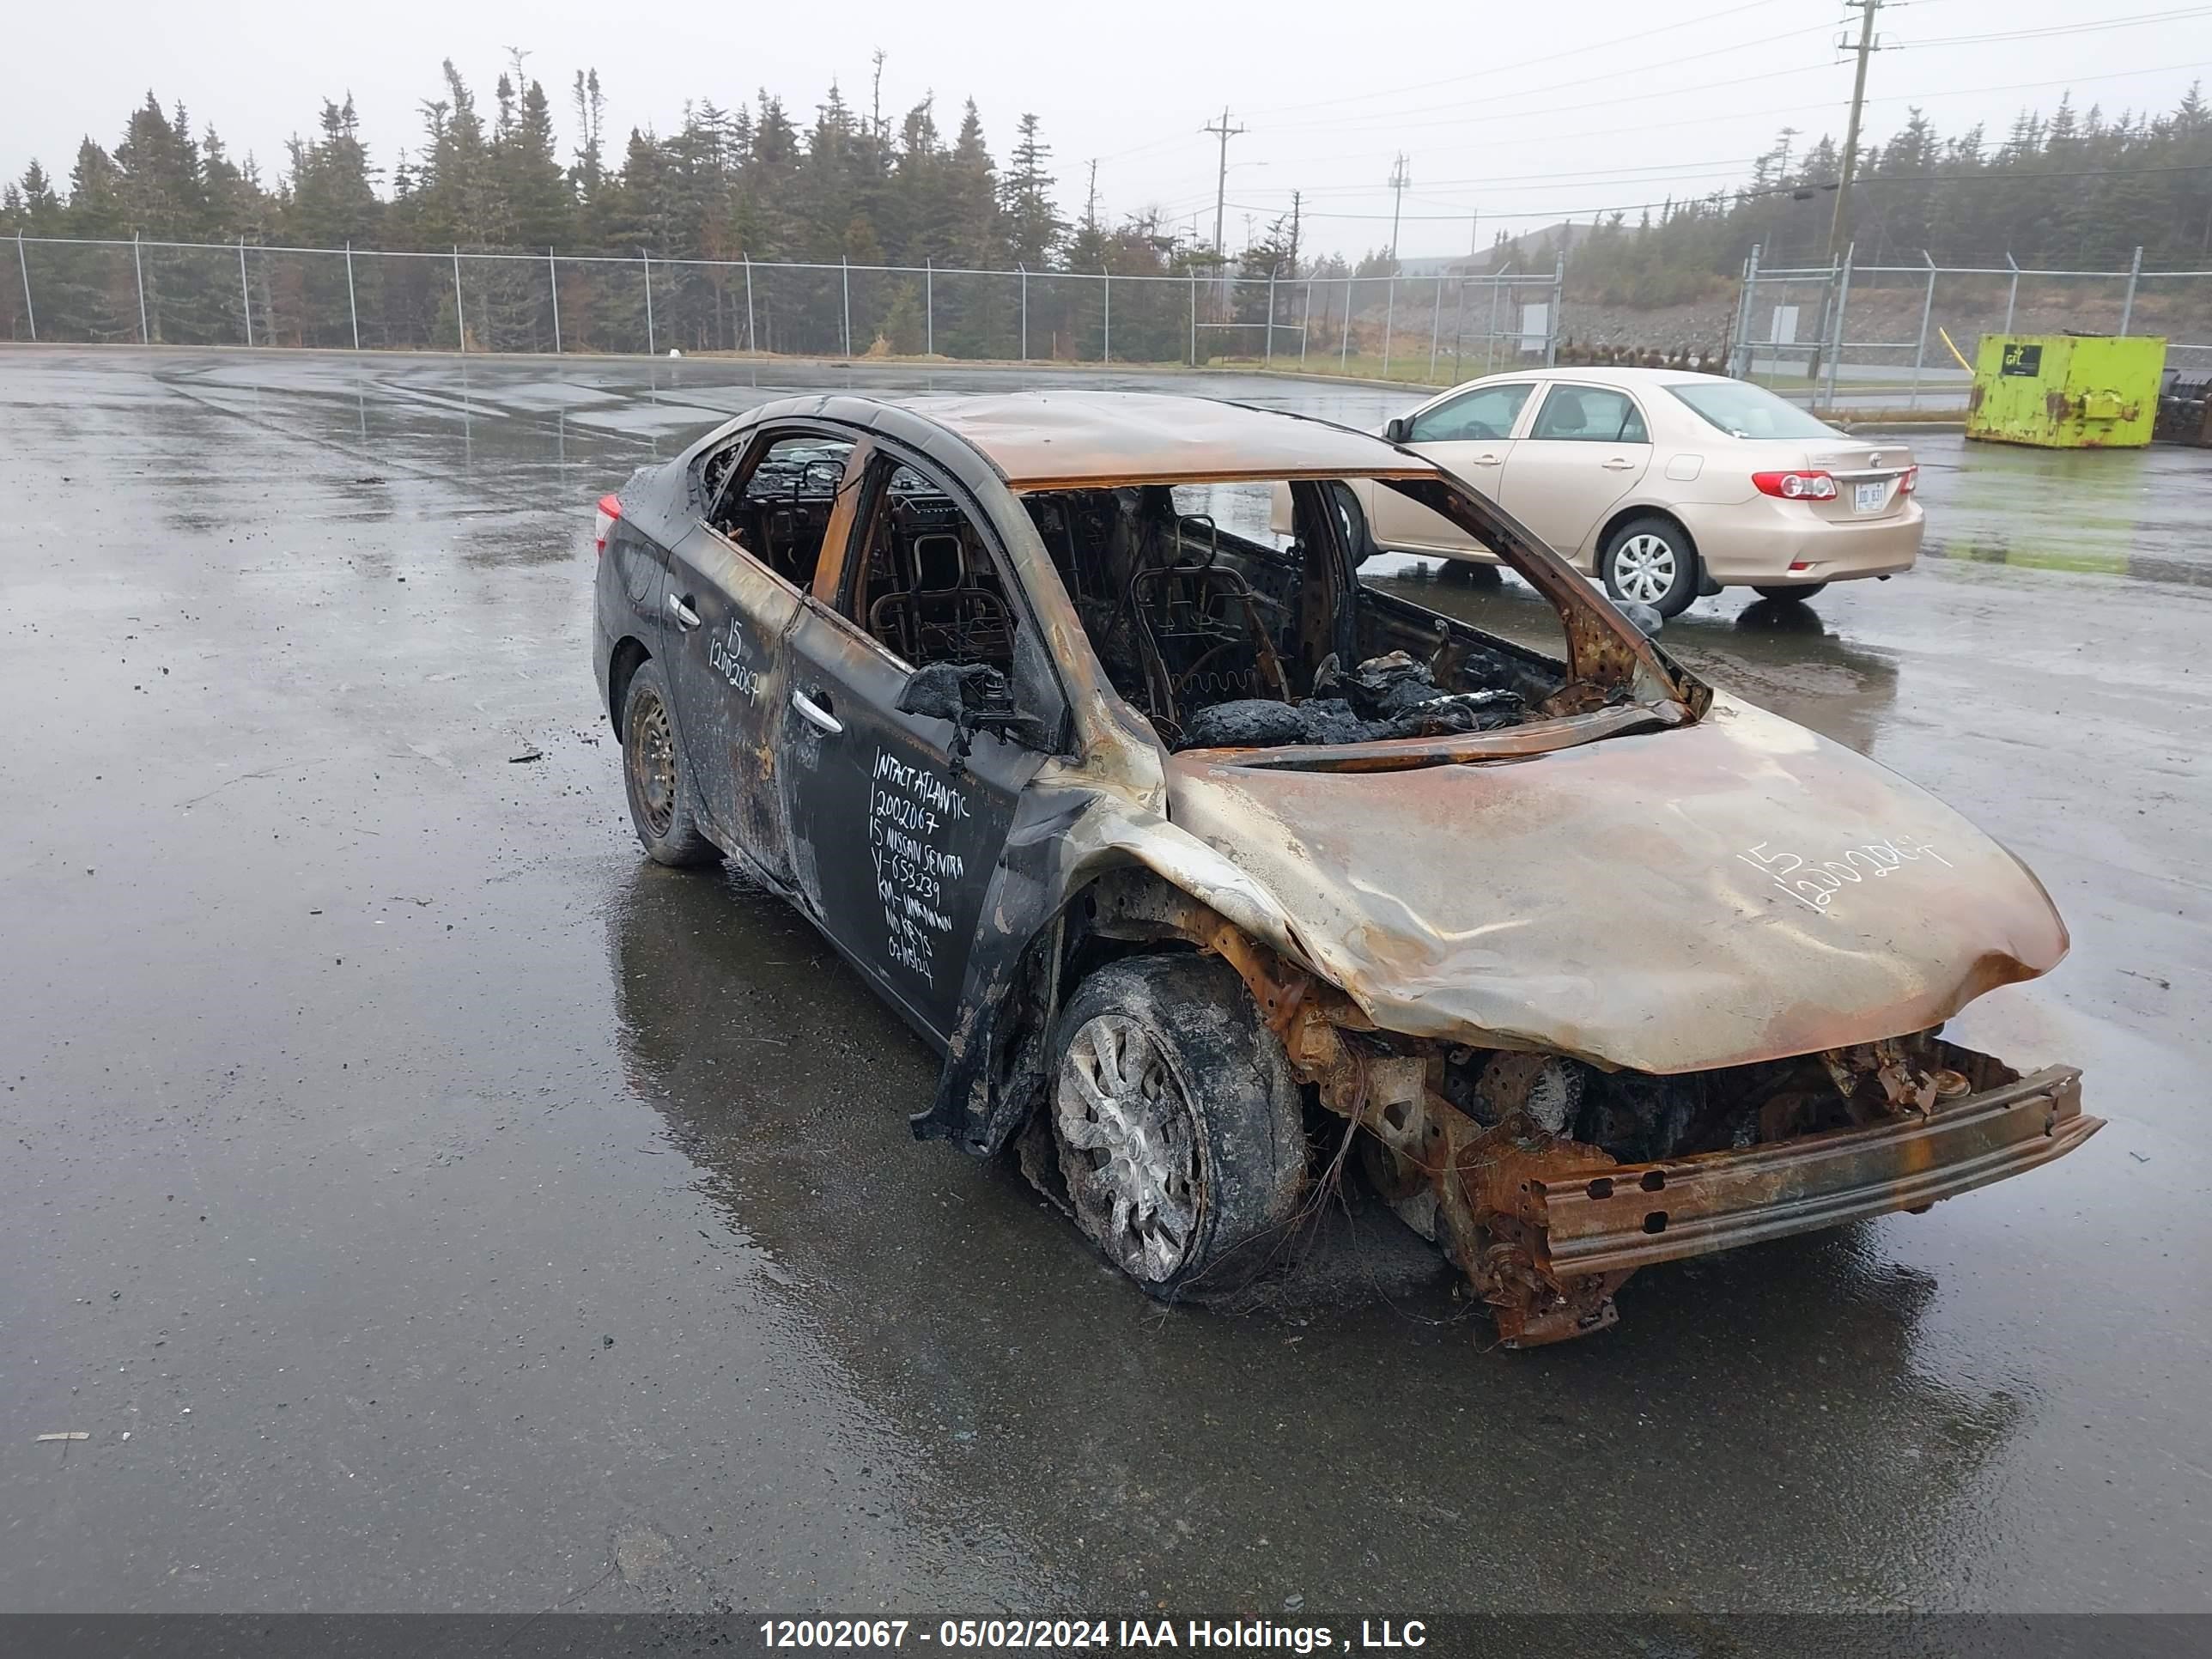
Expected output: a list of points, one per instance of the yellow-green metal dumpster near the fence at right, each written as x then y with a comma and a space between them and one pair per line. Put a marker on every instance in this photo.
2067, 390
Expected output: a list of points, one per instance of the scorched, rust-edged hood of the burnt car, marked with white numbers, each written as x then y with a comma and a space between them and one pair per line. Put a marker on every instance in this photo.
1709, 897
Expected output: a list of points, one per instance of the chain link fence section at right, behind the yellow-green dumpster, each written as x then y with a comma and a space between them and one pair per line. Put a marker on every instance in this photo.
1870, 337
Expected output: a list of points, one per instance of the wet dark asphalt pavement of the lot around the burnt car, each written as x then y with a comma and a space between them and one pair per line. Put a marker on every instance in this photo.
424, 1202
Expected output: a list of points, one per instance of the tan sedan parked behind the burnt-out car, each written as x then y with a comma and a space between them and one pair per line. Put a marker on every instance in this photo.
1660, 483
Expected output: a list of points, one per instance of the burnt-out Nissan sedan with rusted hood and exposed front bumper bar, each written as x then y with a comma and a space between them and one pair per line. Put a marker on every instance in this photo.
1215, 873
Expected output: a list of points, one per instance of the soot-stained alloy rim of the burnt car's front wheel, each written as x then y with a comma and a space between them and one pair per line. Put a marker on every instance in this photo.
1129, 1147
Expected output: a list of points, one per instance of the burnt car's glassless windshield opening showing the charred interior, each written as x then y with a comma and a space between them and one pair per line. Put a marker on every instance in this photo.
1227, 643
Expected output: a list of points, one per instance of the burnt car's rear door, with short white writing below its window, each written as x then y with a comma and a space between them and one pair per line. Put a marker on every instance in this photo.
735, 585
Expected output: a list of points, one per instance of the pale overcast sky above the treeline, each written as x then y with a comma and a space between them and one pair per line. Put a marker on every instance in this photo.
1521, 114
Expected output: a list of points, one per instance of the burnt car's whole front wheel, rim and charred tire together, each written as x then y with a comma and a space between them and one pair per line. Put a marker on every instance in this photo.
1178, 1123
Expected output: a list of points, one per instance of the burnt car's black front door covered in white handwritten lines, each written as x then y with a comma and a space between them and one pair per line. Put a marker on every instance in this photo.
899, 817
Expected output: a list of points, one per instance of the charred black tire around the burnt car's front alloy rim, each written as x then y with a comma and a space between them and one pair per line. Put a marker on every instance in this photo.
1231, 1076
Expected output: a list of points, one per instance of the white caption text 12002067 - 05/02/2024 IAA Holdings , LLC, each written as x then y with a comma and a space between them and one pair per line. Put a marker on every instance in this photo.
1061, 1636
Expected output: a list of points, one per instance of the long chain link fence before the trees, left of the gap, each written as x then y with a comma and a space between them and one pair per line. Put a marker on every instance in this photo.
160, 293
